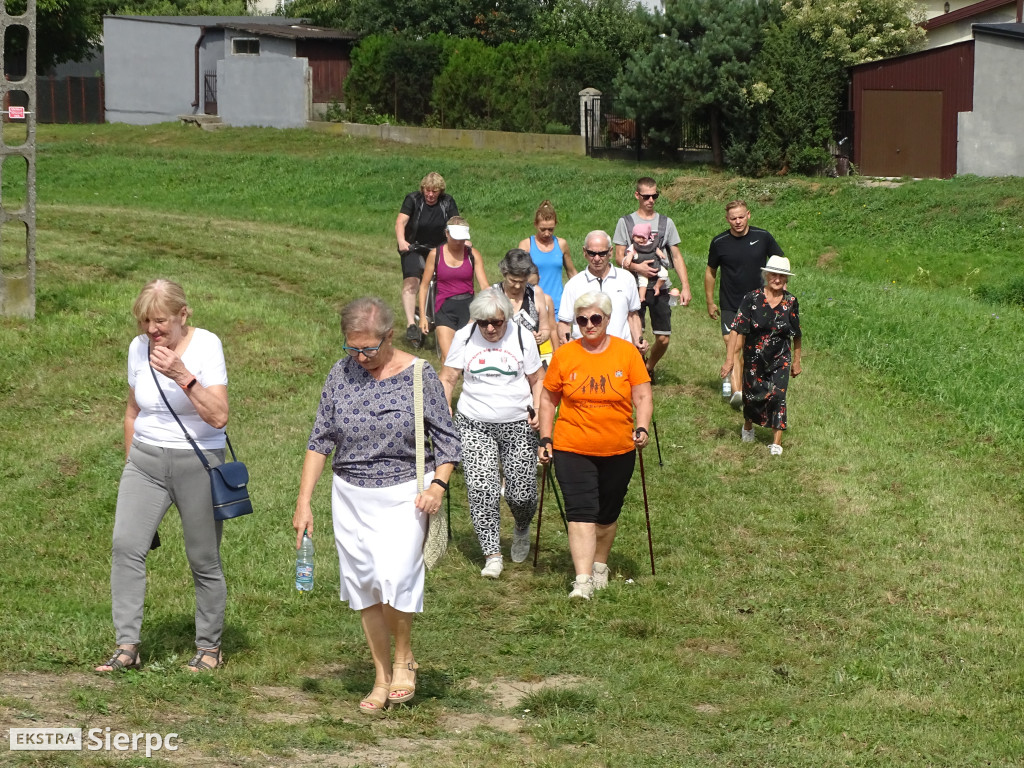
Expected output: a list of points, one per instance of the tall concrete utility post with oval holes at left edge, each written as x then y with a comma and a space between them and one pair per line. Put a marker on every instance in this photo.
18, 140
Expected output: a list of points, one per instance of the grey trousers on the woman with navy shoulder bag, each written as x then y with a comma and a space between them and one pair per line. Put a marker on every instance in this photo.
153, 480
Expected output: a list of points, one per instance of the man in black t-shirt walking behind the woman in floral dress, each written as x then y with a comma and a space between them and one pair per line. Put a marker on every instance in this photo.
741, 252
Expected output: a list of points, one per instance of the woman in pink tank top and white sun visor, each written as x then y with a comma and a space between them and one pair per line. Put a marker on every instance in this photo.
456, 265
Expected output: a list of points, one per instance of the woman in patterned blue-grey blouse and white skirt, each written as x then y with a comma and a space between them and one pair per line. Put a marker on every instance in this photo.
380, 521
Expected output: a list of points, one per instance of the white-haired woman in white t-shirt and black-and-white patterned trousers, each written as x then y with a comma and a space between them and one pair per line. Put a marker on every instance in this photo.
497, 419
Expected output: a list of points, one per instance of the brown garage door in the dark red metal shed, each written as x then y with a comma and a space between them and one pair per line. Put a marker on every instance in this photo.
902, 134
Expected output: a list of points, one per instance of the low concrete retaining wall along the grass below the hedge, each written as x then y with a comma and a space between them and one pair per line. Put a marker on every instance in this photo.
499, 141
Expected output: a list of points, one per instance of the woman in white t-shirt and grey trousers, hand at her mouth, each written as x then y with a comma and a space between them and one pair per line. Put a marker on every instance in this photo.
188, 365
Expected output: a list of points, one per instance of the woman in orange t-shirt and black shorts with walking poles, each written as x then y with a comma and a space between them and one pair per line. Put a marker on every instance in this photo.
598, 380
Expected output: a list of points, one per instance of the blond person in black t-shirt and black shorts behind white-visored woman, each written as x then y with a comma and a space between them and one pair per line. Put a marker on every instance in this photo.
419, 228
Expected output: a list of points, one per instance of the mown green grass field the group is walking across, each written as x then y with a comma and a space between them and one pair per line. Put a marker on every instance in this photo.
857, 603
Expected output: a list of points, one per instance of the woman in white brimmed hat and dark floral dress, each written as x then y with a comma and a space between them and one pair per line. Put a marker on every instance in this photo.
767, 320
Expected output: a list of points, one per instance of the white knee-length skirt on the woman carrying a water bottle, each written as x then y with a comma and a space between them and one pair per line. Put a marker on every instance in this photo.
379, 534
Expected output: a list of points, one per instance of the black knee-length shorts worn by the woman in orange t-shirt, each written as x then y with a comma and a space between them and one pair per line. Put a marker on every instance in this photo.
594, 487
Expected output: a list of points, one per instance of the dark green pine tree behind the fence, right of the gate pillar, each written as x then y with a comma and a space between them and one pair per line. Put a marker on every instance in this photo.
699, 68
